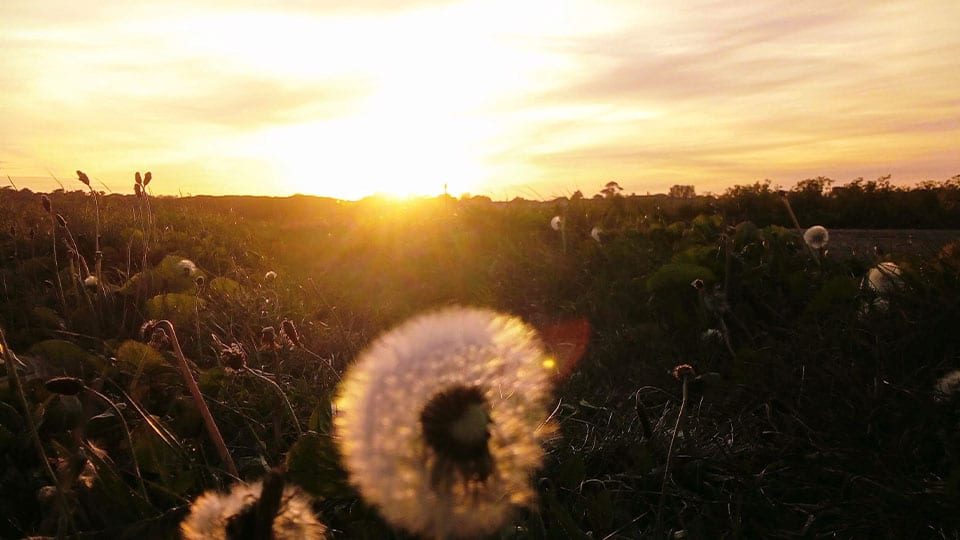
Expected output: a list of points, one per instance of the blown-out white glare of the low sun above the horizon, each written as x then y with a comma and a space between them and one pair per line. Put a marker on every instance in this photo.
424, 126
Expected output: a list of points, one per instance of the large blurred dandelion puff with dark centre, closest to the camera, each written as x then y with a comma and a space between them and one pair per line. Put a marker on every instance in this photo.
441, 421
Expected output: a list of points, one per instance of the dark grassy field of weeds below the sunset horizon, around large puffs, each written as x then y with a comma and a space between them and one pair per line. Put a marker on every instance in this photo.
811, 411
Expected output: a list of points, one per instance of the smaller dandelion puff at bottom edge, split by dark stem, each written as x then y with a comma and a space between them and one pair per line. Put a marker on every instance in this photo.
213, 513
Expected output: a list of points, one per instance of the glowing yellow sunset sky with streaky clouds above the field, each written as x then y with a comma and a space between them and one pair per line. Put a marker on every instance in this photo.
529, 98
